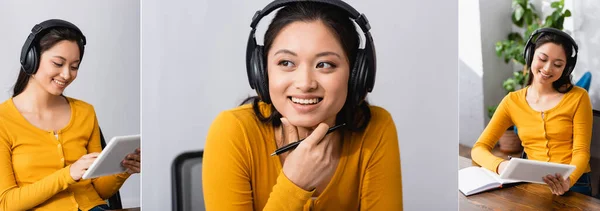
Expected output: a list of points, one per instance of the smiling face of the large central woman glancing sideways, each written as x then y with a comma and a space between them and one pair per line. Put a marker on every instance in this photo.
308, 74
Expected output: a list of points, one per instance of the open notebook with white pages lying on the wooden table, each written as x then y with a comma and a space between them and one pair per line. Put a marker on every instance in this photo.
472, 180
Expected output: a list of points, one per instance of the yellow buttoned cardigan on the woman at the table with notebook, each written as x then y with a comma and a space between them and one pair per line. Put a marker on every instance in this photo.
560, 135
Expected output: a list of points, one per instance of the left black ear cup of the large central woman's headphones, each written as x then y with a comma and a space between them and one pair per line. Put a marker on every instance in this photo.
261, 80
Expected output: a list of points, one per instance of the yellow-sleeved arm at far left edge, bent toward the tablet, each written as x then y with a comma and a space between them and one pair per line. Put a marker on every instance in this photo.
13, 197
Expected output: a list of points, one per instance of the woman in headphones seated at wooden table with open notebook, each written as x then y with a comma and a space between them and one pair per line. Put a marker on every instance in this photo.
554, 117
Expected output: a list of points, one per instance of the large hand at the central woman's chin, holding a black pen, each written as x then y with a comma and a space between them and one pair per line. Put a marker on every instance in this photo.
312, 161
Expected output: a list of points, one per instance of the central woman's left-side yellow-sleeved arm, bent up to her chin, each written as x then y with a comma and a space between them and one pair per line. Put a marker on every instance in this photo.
226, 172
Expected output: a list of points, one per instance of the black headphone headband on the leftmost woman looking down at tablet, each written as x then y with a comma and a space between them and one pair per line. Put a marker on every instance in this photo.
41, 28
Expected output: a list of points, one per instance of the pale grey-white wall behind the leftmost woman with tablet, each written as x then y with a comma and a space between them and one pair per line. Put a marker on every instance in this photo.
109, 76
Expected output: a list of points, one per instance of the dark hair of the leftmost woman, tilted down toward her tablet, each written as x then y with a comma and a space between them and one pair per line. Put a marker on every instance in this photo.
47, 41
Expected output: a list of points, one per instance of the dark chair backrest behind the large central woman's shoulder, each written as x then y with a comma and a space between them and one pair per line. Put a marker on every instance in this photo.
187, 182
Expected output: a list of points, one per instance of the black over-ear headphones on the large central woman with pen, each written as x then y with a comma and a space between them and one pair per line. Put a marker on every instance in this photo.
362, 75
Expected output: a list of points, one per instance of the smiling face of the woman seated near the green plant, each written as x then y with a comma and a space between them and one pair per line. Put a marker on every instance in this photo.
548, 63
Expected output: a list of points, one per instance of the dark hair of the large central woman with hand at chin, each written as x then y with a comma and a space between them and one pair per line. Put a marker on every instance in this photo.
338, 21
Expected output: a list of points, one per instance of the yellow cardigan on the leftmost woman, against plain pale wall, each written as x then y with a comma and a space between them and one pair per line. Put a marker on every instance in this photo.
34, 165
